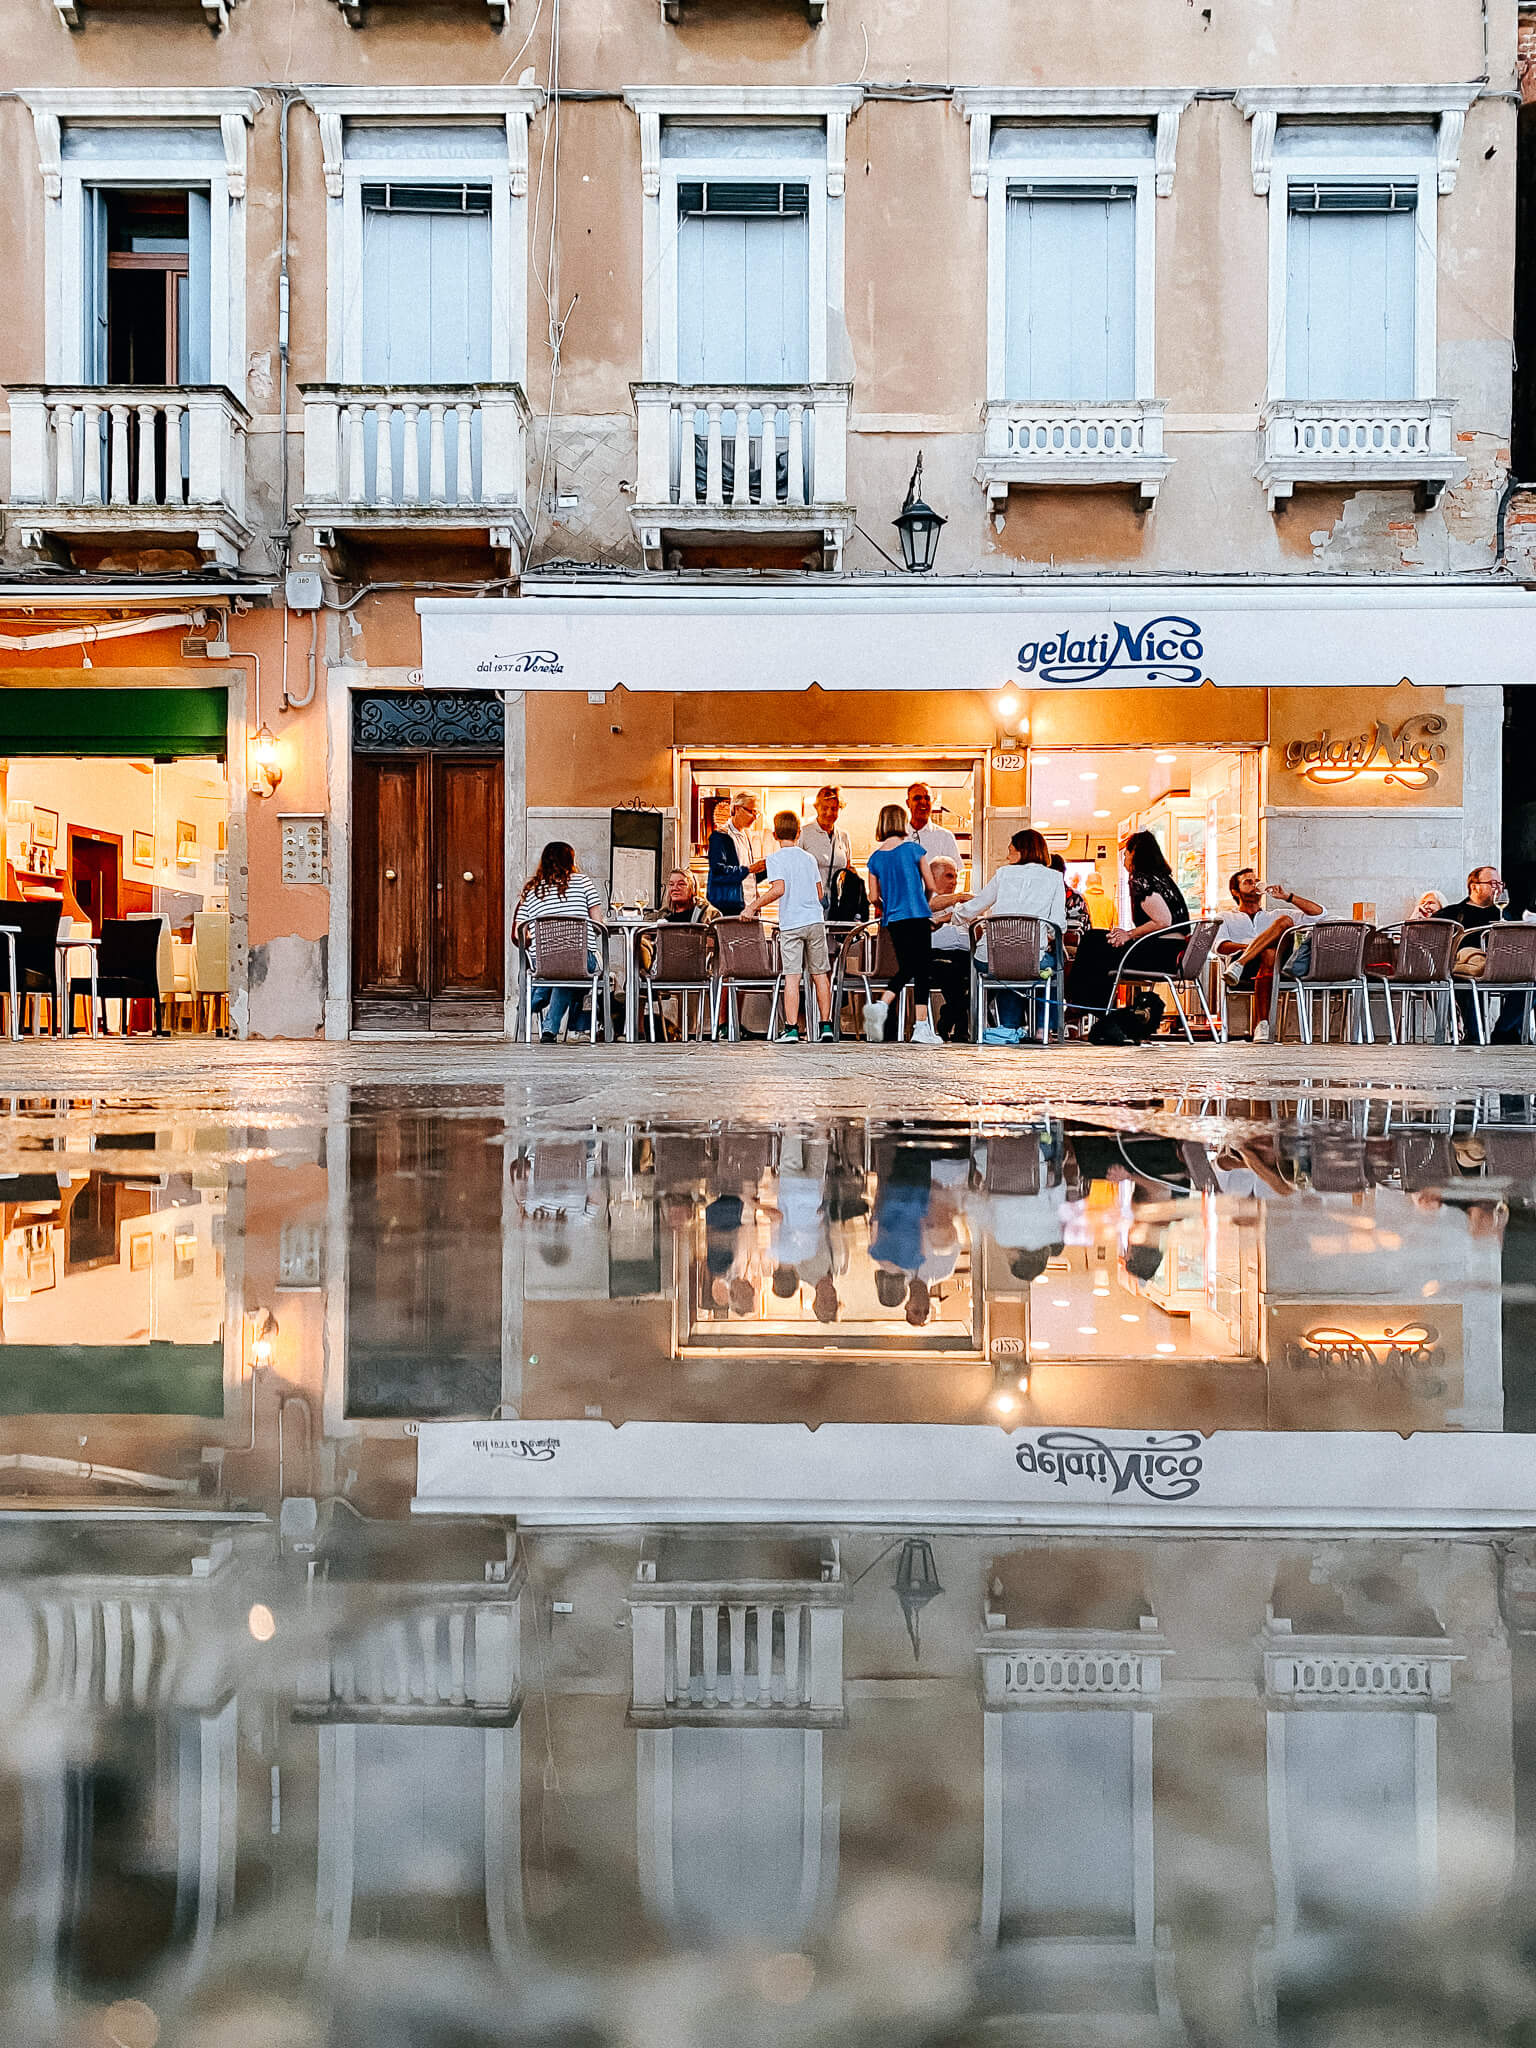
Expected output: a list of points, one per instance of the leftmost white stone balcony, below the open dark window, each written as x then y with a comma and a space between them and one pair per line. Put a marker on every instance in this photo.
157, 466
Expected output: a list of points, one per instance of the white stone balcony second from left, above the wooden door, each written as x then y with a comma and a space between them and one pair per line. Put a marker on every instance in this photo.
435, 462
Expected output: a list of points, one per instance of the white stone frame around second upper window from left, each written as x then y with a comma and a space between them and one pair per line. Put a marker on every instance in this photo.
505, 173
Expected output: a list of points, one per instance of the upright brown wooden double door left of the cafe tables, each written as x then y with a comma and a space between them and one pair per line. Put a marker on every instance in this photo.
429, 949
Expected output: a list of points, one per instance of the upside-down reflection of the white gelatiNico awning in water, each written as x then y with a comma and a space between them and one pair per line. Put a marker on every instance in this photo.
597, 1471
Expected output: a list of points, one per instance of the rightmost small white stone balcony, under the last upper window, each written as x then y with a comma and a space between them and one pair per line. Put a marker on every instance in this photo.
1369, 441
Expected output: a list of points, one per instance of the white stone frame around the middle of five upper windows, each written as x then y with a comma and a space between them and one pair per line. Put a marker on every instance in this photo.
730, 108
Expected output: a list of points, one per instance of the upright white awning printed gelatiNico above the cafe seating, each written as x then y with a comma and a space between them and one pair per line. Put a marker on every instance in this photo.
941, 638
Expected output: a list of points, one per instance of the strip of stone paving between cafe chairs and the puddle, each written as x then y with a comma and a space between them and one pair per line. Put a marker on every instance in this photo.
259, 1082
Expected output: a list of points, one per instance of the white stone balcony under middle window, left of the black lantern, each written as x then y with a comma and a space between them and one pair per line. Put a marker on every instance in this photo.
728, 464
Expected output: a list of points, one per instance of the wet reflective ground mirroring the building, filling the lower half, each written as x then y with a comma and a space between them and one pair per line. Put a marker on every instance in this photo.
572, 1553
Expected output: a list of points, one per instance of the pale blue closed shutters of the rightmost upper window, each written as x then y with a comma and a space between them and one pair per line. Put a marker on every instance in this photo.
1351, 288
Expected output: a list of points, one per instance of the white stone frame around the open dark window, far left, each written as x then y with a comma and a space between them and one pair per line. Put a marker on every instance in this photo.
65, 185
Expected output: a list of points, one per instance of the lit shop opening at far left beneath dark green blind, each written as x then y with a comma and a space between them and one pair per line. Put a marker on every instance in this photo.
114, 841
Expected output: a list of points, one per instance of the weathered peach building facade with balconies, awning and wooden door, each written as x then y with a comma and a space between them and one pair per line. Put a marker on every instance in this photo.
443, 429
